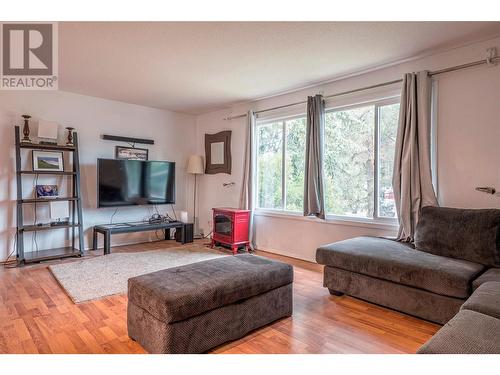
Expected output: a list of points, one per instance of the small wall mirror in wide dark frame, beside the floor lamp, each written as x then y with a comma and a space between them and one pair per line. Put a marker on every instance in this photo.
218, 152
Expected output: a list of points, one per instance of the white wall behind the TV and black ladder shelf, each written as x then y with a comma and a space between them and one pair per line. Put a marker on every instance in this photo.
91, 117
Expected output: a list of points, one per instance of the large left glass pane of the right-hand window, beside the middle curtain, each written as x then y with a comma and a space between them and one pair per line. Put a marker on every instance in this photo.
348, 162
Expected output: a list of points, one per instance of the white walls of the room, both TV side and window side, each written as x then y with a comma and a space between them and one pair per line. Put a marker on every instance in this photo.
468, 138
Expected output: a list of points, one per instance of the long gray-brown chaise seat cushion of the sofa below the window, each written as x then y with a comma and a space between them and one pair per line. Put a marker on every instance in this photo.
397, 262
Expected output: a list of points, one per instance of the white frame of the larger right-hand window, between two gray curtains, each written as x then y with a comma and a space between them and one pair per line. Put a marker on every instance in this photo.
377, 103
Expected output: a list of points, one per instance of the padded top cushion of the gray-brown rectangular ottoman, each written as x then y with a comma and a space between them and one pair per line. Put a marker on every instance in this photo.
178, 293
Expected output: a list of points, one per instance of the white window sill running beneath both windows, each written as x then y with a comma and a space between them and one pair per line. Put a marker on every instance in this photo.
331, 220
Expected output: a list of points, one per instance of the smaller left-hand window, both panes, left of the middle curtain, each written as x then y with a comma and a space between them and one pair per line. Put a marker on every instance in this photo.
280, 162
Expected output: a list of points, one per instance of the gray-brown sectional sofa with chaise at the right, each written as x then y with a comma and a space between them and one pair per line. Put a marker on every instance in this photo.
456, 251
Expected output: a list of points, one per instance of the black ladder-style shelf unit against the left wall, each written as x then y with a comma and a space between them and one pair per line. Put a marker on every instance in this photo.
76, 222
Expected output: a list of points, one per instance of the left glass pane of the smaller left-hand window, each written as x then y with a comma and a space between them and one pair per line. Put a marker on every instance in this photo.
269, 165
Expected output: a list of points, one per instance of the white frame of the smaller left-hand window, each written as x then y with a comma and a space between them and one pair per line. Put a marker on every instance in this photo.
283, 120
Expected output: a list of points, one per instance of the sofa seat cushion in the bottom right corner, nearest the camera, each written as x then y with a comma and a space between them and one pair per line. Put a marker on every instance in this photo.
469, 332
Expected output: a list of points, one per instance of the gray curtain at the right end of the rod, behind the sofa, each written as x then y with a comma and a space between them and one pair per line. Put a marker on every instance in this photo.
412, 181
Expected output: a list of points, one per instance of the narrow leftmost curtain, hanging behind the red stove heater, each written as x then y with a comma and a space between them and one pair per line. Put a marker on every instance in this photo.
247, 196
